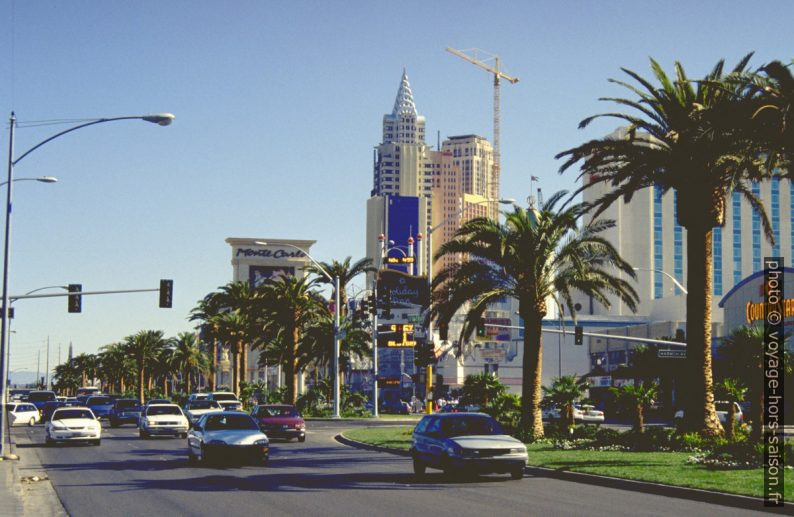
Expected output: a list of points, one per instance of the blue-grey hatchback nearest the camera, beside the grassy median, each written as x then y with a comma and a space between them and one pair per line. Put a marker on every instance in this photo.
466, 443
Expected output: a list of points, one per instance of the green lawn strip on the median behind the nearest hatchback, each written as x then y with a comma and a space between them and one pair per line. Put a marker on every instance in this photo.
668, 468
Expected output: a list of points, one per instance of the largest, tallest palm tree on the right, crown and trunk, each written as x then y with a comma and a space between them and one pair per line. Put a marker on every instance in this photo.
694, 137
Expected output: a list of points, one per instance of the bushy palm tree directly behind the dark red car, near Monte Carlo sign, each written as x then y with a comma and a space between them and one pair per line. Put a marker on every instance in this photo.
288, 307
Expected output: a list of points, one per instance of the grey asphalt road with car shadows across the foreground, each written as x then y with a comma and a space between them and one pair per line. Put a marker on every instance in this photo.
130, 476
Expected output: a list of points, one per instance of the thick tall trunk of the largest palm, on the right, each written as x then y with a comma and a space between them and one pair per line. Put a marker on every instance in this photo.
700, 414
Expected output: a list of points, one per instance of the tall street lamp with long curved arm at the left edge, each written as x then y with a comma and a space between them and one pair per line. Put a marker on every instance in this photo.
162, 119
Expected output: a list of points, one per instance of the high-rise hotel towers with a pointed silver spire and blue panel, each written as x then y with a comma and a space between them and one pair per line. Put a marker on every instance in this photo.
452, 185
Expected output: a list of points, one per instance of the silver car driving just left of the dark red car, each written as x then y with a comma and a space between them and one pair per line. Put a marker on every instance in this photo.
231, 435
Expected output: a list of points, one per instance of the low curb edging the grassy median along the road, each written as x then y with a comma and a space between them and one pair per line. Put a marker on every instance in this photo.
647, 487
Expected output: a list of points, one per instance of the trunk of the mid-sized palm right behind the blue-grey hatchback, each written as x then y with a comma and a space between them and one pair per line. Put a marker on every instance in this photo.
531, 420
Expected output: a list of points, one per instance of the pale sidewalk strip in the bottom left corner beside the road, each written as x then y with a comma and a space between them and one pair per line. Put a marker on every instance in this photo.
20, 493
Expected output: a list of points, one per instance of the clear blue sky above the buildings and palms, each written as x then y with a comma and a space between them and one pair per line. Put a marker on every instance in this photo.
278, 106
